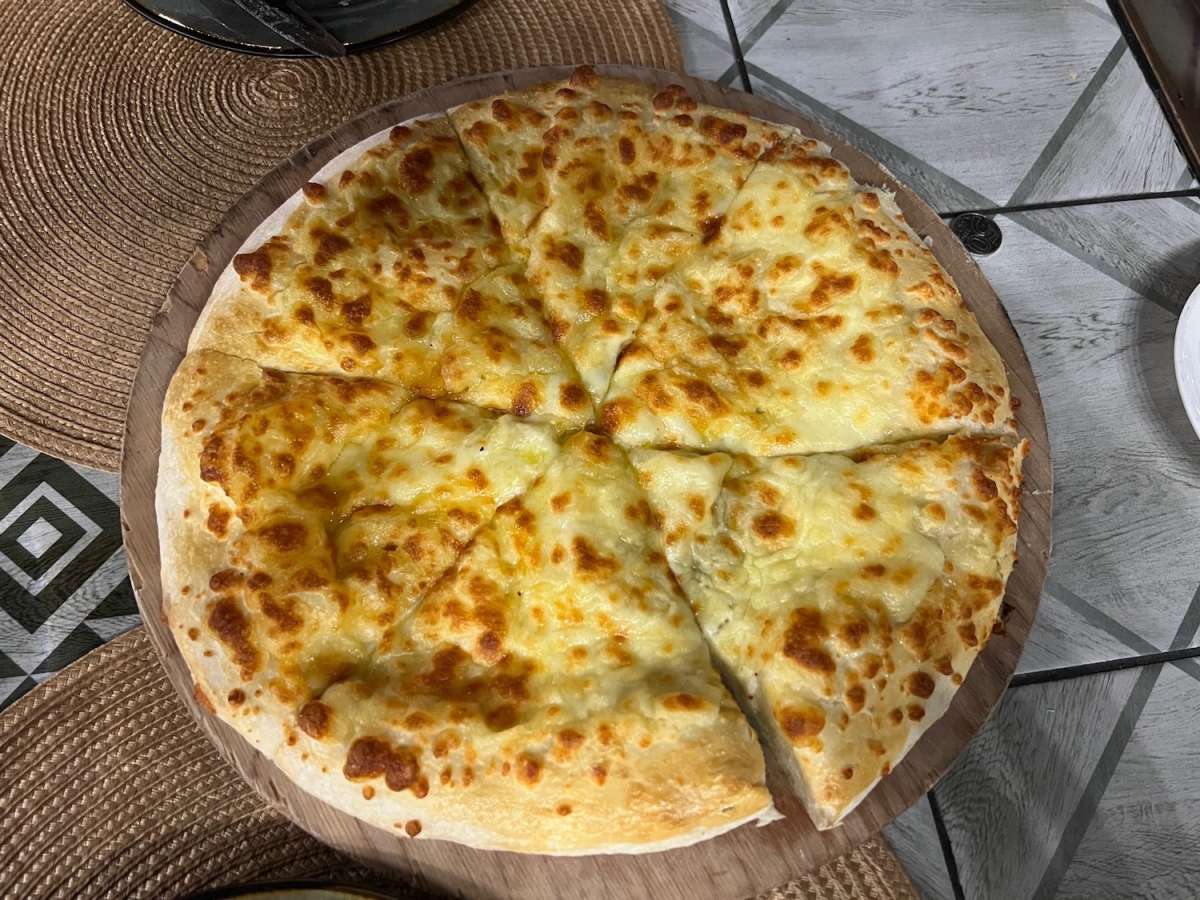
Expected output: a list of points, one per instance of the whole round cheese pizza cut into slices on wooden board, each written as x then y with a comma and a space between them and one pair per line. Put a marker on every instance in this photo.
539, 459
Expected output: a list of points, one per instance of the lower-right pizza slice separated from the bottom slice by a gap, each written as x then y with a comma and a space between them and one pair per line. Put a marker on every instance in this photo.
848, 596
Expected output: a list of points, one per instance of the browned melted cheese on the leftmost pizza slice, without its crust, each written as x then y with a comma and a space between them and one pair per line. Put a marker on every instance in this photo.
341, 503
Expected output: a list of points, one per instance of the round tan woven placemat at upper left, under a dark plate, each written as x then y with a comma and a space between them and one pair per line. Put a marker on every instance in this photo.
125, 143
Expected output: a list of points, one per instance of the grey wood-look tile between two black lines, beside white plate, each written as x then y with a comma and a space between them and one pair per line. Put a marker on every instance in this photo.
1127, 466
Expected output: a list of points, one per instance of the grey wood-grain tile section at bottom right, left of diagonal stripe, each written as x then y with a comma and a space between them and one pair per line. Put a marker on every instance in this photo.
1016, 790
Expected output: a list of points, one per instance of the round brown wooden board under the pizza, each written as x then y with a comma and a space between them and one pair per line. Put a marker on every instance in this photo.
739, 865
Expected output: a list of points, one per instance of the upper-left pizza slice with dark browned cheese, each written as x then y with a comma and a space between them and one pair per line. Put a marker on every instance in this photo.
389, 263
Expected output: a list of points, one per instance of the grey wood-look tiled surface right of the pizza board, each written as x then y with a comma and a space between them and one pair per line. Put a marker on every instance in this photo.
1084, 783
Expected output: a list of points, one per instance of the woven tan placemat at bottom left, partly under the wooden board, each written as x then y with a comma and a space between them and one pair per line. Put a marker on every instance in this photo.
111, 790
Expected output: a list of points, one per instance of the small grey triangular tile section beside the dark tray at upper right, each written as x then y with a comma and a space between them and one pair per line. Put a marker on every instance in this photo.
1120, 145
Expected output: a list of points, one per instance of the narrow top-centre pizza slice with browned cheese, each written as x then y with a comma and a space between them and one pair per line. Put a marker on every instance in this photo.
629, 181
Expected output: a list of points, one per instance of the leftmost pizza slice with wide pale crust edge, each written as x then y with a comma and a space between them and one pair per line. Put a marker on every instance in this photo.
303, 517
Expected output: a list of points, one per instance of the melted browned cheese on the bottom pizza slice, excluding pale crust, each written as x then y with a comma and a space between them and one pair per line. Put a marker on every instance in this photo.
557, 650
